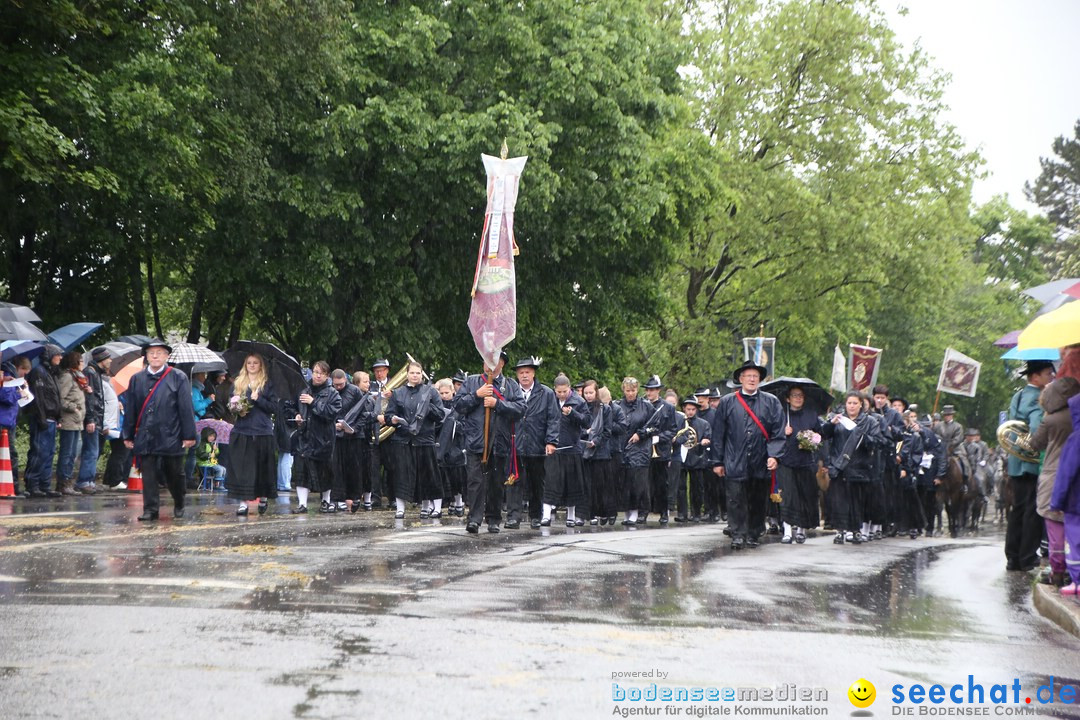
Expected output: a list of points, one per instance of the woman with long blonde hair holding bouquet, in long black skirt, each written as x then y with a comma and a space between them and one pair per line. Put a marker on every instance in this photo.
253, 465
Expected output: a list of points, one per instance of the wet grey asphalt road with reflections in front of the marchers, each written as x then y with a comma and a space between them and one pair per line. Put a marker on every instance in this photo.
350, 616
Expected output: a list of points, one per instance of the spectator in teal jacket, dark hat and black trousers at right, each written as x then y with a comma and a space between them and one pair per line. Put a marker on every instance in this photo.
1024, 526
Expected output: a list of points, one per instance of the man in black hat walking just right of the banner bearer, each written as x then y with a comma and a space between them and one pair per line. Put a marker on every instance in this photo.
537, 438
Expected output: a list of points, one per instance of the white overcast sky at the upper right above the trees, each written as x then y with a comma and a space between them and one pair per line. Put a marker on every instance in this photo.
1016, 67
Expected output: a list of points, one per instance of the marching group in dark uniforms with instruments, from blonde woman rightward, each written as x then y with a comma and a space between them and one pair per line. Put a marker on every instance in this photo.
499, 451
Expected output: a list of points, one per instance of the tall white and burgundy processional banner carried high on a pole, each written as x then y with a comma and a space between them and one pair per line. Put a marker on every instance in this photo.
493, 319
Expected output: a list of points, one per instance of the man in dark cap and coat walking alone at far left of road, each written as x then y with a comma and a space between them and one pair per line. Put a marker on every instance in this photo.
160, 428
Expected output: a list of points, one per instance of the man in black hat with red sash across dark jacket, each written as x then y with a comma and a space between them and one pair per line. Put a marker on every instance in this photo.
748, 437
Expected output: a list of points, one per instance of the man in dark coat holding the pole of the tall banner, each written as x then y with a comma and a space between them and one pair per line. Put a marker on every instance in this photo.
503, 397
